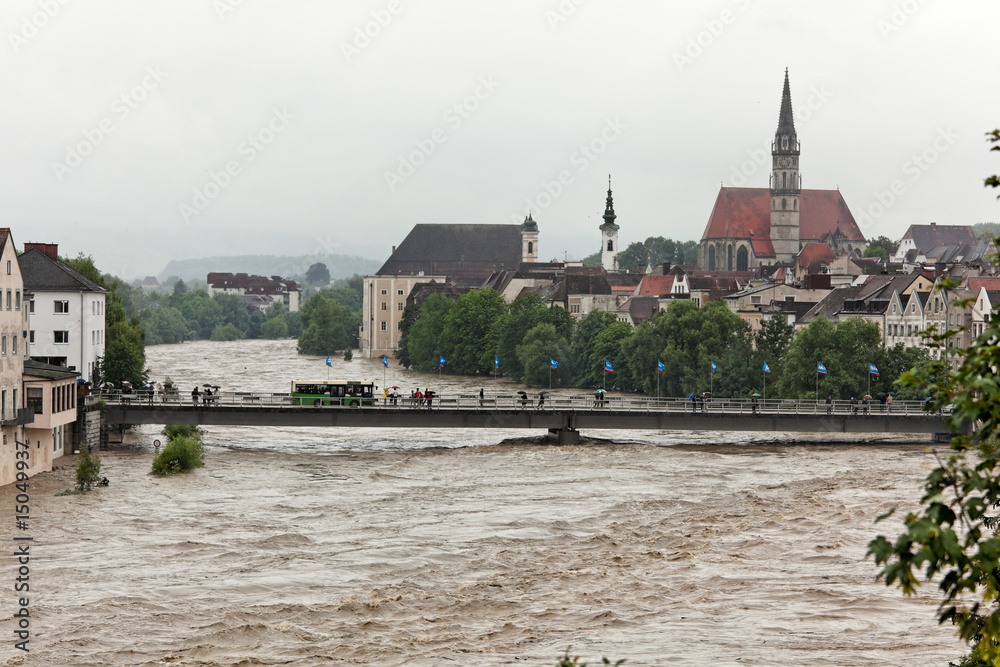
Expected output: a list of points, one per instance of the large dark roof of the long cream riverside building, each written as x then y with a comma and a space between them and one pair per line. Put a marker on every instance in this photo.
467, 253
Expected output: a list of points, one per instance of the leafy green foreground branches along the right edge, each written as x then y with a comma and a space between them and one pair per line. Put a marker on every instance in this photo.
953, 540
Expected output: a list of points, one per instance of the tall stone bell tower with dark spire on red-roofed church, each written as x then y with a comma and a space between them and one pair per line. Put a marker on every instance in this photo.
786, 183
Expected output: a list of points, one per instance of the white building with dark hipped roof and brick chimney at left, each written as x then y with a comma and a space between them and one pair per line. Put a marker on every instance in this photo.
67, 311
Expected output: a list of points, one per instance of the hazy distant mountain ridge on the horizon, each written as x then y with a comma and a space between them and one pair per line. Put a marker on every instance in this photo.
340, 266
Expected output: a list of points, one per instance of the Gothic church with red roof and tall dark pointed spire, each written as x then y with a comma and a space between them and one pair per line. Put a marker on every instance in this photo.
753, 227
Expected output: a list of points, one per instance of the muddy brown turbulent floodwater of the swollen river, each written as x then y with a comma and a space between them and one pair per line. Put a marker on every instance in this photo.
374, 547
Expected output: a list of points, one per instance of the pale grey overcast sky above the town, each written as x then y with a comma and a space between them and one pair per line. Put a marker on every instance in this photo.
139, 131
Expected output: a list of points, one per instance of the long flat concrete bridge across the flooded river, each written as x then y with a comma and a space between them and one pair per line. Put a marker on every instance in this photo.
561, 416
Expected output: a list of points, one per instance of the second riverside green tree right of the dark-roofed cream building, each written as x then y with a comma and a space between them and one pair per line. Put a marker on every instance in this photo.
468, 339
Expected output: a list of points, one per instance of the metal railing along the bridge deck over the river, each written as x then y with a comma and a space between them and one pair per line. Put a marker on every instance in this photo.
532, 401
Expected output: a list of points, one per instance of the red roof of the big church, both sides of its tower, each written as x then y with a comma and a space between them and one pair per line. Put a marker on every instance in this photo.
745, 213
